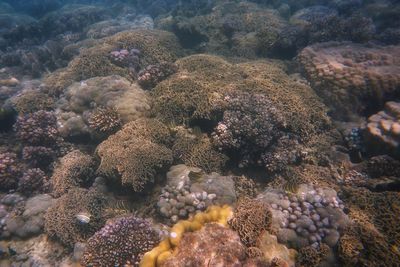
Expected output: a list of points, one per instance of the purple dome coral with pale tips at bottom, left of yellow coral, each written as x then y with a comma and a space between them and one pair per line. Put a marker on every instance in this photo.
120, 242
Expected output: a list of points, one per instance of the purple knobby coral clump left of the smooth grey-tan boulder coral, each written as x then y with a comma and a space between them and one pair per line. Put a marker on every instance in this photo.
39, 128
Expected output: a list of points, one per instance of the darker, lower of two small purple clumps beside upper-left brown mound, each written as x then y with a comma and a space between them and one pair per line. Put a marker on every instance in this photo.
153, 74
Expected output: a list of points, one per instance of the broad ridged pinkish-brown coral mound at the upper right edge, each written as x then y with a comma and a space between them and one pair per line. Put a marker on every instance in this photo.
352, 78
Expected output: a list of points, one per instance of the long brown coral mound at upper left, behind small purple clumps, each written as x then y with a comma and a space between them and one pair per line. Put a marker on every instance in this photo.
154, 46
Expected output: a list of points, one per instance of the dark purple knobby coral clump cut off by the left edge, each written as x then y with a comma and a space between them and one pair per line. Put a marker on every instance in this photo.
9, 171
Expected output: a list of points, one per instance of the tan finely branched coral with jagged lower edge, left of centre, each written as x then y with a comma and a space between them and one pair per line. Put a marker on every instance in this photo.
135, 153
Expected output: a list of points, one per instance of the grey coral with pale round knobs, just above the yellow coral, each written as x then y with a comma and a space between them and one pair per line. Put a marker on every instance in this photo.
189, 190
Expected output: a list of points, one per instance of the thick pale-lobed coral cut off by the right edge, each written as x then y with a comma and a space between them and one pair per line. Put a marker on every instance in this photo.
383, 130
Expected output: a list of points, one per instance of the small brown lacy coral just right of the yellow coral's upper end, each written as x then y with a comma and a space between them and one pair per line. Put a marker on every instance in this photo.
251, 218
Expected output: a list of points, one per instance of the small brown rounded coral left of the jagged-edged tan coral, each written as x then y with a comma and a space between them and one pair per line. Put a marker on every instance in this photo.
75, 169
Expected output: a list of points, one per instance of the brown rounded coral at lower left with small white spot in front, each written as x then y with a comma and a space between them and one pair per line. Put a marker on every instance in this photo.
61, 219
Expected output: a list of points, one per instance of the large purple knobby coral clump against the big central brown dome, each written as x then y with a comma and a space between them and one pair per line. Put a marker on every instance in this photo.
250, 125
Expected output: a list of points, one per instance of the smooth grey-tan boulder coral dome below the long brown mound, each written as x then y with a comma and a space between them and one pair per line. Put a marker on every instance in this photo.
76, 108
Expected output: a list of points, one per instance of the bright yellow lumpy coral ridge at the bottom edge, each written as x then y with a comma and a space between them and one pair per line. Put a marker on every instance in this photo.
158, 255
